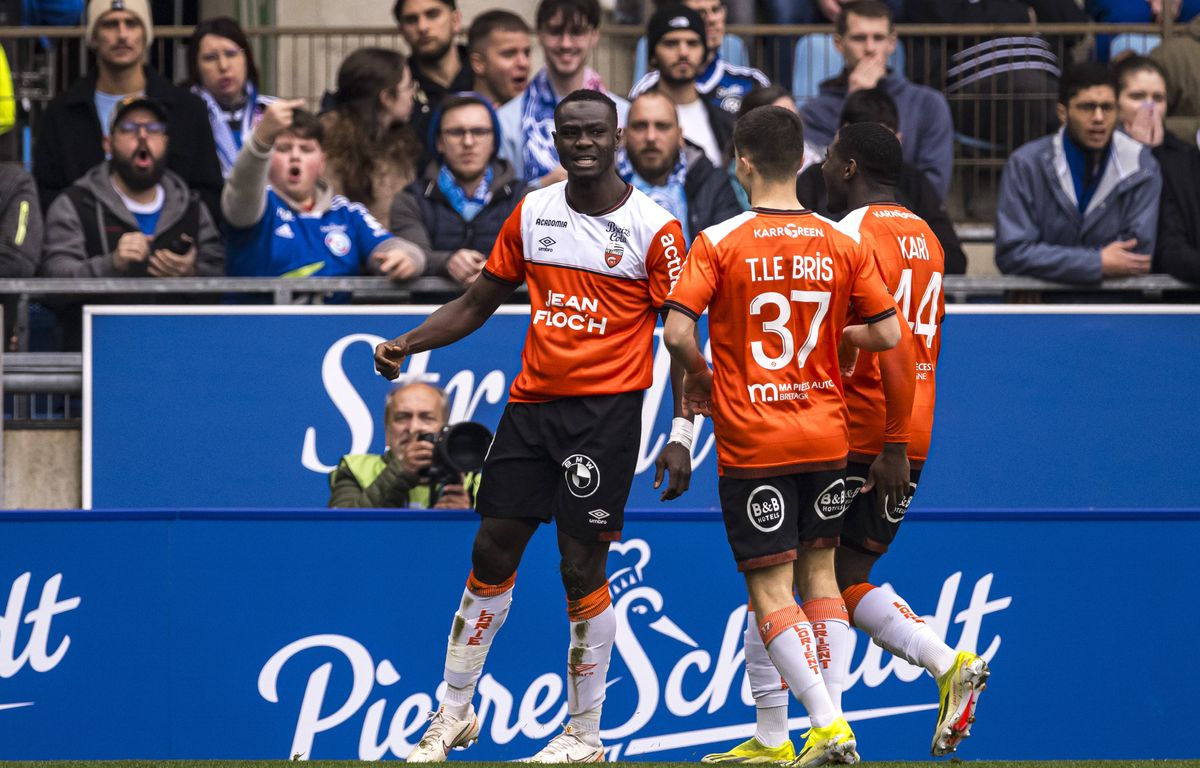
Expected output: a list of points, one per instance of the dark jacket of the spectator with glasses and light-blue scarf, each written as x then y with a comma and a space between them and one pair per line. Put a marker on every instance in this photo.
423, 215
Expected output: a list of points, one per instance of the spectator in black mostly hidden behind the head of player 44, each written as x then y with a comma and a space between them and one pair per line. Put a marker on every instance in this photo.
913, 189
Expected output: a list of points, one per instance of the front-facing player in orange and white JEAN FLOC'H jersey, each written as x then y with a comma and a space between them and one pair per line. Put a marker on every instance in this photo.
599, 259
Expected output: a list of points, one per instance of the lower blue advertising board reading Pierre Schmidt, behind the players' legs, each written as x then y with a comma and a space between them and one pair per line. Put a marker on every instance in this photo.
322, 634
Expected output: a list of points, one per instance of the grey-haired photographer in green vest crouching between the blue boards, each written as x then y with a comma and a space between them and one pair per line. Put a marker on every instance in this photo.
400, 477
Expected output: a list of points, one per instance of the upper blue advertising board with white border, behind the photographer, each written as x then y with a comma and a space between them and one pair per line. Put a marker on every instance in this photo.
1075, 407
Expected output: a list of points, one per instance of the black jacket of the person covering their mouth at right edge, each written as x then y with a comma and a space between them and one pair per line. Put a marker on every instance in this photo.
1178, 251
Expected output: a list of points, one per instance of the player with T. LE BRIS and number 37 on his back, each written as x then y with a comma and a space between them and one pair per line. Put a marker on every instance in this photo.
778, 283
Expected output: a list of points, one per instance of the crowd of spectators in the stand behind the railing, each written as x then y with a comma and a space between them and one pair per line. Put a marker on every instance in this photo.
415, 160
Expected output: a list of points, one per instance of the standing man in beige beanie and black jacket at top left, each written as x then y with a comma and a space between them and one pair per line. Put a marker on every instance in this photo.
71, 134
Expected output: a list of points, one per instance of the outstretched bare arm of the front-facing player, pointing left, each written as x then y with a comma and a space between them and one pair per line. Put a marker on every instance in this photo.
448, 325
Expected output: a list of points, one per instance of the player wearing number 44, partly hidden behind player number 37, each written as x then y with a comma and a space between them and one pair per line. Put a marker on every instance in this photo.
891, 399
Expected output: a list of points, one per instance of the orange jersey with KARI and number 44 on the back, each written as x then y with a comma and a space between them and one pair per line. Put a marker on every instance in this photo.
911, 263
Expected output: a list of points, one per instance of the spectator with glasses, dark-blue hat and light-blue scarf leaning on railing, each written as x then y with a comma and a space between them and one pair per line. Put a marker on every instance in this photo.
457, 212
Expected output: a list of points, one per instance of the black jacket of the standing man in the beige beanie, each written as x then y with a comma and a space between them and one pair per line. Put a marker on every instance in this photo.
70, 141
